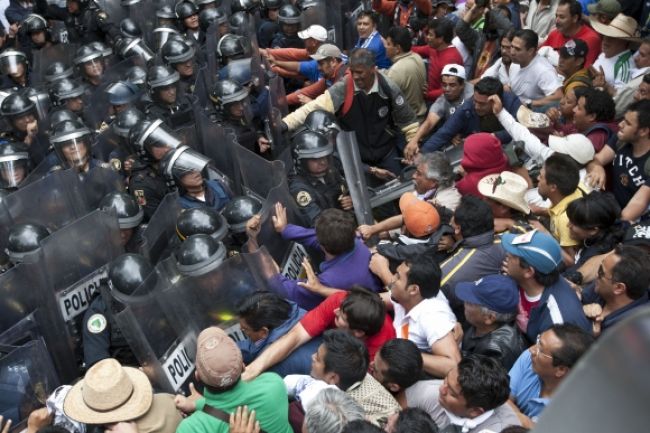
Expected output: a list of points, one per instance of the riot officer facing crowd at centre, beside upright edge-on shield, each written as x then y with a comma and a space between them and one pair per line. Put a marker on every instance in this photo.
316, 183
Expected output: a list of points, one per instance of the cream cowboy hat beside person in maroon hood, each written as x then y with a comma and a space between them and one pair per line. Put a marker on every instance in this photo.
507, 188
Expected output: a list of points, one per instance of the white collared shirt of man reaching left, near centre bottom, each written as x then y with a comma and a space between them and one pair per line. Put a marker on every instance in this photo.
426, 323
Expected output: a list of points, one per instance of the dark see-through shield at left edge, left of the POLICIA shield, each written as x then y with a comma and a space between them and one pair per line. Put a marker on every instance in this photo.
25, 313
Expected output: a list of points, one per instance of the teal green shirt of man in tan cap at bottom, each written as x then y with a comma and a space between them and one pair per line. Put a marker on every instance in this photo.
266, 394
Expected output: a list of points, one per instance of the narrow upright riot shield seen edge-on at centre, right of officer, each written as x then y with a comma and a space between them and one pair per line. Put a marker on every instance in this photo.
348, 150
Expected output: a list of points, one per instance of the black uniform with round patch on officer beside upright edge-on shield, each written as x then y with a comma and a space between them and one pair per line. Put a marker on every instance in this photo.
313, 195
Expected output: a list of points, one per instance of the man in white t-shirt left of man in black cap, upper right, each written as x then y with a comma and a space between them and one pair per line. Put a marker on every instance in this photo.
532, 77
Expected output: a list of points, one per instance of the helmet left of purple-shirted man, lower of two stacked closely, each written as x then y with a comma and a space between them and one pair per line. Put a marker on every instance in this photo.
199, 254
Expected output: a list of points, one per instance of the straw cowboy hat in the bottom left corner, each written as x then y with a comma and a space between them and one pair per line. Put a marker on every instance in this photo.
109, 393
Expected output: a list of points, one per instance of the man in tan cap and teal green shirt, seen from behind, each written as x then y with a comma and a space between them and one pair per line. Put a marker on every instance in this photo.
218, 367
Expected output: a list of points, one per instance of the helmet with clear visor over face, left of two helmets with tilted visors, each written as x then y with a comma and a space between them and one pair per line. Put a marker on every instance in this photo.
74, 136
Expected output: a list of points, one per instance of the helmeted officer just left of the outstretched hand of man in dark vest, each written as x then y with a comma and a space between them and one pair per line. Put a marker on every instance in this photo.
233, 111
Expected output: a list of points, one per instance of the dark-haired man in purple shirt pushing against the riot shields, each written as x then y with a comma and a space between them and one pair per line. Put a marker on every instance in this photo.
346, 256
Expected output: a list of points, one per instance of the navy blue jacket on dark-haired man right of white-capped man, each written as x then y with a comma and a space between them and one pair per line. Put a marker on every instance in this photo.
465, 121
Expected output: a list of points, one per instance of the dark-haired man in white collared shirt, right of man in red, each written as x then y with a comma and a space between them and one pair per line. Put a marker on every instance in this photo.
422, 313
